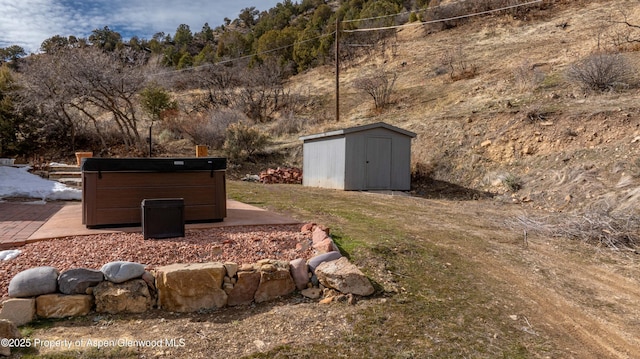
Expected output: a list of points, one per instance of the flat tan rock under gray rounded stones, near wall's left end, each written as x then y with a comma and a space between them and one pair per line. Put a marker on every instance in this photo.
62, 306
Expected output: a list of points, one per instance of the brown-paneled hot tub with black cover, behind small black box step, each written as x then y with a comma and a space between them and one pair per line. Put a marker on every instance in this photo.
114, 188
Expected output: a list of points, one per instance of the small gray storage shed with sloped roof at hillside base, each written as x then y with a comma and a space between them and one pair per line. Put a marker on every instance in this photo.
370, 157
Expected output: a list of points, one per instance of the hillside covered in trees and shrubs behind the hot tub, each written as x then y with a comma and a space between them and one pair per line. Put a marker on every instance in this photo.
105, 93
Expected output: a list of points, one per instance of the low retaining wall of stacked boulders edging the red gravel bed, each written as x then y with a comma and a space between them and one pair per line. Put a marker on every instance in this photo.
127, 287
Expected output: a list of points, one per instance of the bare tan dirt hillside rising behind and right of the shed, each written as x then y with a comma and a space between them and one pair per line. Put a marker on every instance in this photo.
518, 117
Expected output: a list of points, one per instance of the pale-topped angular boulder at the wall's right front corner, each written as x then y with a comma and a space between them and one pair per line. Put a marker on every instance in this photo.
344, 277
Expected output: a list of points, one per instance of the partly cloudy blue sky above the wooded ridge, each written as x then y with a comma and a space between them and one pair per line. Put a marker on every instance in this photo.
27, 23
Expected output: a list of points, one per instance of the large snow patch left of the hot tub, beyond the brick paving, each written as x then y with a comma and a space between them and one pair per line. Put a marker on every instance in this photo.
18, 182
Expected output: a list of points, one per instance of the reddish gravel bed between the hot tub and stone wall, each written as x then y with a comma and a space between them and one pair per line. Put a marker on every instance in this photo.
241, 245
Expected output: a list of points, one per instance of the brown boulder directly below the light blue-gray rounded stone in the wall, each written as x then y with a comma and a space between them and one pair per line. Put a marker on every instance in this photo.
128, 297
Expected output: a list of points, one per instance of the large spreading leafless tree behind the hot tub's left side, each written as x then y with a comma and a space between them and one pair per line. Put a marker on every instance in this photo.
83, 85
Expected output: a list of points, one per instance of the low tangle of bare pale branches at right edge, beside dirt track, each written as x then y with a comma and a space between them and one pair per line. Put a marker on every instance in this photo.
598, 227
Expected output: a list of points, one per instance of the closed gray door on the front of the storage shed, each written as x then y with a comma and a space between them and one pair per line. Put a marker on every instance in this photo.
378, 175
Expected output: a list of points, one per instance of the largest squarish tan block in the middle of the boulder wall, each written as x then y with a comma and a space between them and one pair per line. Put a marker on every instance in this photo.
191, 287
